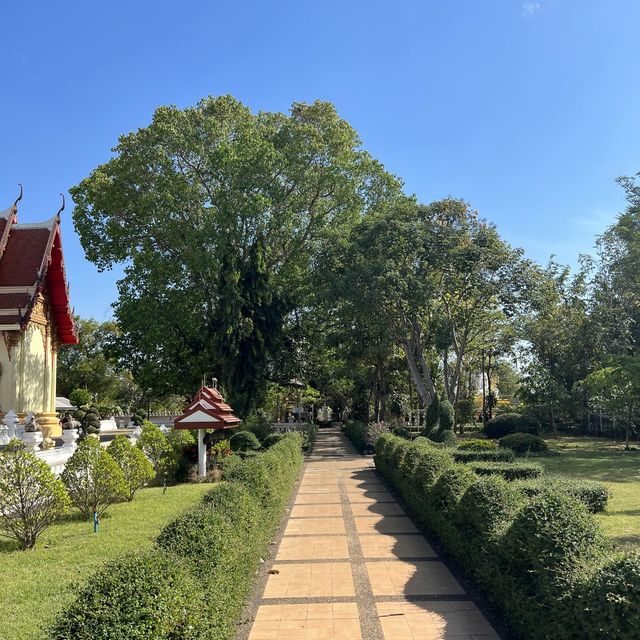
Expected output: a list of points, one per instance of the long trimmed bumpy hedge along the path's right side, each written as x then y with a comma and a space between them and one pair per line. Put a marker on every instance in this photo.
537, 552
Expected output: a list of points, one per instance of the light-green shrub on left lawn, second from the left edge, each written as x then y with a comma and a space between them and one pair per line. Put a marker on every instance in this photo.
93, 479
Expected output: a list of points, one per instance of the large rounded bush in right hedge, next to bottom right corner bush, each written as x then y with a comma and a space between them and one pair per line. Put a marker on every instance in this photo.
549, 539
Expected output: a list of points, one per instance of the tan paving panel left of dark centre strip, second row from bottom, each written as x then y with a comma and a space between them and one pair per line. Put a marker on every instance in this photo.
331, 579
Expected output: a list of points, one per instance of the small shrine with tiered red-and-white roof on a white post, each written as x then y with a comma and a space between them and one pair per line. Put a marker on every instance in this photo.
207, 411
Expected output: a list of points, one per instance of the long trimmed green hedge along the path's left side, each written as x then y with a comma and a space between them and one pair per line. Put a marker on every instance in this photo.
193, 584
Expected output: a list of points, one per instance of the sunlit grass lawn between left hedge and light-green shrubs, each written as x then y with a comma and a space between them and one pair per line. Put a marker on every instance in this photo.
34, 585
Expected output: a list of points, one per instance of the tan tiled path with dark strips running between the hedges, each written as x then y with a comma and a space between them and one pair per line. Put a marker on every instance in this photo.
352, 566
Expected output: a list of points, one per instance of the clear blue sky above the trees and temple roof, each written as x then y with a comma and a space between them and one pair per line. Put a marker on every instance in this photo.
529, 110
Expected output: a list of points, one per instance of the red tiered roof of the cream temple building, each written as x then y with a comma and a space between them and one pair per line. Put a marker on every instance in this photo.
31, 262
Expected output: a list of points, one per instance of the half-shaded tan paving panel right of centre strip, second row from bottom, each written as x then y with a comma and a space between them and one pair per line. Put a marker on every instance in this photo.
412, 578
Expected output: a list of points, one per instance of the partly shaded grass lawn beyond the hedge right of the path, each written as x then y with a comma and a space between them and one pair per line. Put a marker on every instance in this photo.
607, 462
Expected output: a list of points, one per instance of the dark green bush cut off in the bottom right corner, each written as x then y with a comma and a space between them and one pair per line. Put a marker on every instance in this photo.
609, 606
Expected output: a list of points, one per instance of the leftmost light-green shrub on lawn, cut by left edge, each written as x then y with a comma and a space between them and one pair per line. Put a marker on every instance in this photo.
31, 498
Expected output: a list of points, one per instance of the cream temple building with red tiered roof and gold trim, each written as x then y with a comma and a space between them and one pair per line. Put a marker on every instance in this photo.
35, 316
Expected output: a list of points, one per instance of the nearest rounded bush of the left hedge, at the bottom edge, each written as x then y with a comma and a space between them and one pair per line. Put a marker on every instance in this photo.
135, 597
